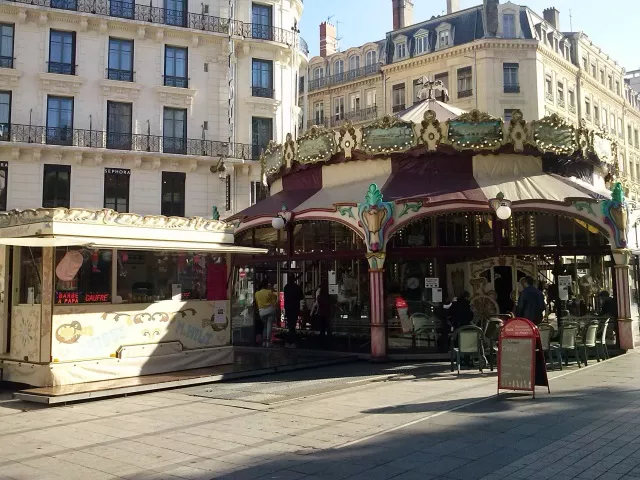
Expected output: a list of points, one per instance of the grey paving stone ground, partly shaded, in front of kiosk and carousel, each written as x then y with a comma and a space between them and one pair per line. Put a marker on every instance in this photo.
414, 423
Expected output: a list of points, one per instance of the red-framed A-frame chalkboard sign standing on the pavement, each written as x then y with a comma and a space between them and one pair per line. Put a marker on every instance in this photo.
521, 363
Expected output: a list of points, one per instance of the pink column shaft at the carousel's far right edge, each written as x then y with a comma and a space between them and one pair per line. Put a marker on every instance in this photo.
627, 326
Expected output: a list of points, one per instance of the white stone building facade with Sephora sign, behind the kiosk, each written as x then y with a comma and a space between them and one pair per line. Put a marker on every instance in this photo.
142, 108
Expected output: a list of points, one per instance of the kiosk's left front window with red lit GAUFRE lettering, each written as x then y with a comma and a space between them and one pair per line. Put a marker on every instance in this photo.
82, 276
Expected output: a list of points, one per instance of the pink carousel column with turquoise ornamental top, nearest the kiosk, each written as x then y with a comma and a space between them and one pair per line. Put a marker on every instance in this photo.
375, 216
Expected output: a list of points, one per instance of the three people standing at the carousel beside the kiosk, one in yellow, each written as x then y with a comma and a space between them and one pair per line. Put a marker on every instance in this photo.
267, 309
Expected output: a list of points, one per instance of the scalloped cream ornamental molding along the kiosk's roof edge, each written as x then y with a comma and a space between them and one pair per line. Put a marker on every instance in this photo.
110, 217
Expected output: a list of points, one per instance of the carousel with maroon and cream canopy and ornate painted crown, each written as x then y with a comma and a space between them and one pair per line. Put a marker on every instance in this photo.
396, 219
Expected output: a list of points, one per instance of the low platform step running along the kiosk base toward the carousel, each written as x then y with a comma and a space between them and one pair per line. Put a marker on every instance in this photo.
248, 362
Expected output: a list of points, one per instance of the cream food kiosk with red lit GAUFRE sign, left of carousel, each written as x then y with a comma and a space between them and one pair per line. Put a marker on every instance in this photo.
97, 295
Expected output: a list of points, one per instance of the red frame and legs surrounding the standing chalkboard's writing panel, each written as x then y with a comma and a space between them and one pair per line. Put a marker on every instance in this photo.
523, 329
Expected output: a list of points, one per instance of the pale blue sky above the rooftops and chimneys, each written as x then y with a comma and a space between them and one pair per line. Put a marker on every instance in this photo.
611, 25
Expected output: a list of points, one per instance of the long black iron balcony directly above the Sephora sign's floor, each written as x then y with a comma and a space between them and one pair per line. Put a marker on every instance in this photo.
121, 141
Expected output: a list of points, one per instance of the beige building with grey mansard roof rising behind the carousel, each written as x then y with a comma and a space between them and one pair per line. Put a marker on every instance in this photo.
496, 57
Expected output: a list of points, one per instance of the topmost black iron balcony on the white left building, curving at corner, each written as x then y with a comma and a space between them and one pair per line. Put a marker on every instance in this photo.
177, 18
